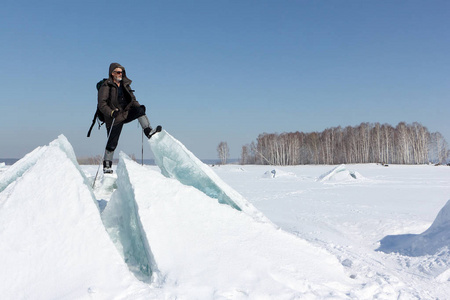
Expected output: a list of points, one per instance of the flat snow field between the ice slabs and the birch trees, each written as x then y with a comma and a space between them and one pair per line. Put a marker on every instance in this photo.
349, 218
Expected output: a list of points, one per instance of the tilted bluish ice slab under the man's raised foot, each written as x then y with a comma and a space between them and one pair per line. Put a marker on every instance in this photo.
176, 161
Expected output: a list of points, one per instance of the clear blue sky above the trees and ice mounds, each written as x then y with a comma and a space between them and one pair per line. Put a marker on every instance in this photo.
212, 71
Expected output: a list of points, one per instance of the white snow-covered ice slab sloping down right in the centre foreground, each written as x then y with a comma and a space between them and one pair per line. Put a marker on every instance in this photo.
205, 250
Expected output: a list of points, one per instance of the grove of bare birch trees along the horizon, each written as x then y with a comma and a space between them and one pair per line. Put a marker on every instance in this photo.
365, 143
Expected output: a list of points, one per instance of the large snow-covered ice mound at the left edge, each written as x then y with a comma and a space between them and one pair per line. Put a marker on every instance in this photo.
53, 243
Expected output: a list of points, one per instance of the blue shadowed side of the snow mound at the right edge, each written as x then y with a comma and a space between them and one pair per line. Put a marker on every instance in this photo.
428, 242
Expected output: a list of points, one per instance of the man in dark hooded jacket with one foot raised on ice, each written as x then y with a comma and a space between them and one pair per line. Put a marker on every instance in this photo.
119, 106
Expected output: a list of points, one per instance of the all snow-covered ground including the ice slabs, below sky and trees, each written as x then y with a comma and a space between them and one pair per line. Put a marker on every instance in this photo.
301, 232
